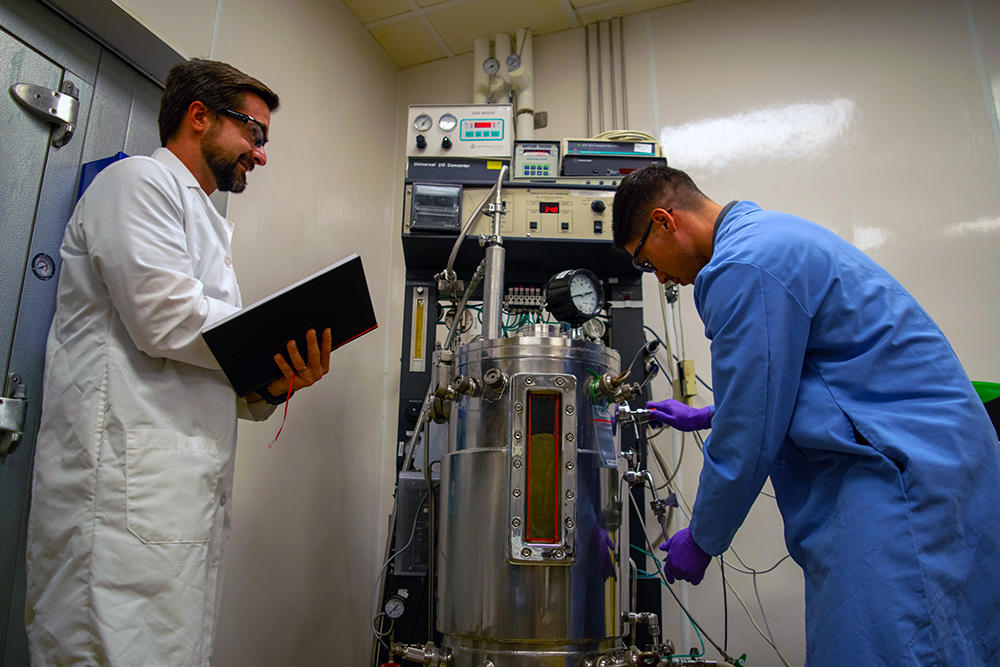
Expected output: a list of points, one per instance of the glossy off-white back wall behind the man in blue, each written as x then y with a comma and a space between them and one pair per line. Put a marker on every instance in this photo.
877, 120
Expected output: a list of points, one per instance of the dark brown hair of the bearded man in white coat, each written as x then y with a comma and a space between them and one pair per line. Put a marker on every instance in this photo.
216, 85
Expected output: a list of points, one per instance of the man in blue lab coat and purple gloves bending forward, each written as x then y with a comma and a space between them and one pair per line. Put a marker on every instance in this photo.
830, 378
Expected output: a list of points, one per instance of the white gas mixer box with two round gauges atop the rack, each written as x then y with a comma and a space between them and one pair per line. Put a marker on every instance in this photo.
466, 131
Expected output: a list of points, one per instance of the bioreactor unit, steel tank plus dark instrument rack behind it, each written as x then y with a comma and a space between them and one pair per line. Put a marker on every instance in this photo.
513, 552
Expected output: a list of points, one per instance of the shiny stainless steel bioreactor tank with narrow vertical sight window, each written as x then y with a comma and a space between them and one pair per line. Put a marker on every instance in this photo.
528, 498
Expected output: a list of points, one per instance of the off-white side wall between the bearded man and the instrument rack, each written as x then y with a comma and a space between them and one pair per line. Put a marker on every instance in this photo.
309, 511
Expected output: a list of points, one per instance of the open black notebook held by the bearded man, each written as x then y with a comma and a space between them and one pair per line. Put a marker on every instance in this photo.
245, 343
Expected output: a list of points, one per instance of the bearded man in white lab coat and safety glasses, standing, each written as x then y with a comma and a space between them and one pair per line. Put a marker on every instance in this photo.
134, 458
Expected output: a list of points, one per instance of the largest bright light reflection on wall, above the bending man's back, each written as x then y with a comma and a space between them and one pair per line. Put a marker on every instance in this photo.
792, 131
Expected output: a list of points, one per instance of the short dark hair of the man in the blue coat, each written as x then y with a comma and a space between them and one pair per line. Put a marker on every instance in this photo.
642, 191
